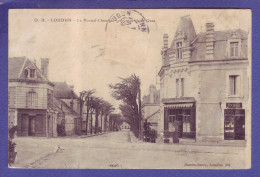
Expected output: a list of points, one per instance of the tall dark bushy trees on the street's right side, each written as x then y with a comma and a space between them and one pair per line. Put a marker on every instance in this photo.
129, 92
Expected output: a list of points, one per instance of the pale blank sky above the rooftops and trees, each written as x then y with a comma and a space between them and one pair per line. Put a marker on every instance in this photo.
90, 53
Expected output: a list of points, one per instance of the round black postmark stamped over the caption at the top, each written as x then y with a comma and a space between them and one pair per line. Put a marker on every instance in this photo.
131, 19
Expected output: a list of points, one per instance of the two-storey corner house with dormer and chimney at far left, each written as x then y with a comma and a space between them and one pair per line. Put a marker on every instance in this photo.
30, 98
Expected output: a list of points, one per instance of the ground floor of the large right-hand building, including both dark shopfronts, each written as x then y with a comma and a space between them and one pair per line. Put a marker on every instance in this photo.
204, 122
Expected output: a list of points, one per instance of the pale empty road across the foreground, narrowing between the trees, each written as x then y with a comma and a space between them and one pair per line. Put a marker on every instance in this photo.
115, 150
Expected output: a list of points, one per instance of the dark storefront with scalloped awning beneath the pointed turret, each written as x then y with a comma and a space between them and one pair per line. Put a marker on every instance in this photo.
180, 117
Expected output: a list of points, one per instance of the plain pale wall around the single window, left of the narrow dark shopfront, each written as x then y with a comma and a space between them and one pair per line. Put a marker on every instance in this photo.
213, 97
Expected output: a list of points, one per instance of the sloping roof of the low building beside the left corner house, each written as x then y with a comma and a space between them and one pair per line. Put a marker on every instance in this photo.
63, 91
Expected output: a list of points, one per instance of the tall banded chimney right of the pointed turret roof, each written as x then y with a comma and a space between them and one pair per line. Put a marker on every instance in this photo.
209, 40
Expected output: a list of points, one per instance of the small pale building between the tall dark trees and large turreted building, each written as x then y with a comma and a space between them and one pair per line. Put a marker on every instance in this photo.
151, 107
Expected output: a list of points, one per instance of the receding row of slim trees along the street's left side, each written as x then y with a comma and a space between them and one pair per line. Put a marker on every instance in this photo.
101, 109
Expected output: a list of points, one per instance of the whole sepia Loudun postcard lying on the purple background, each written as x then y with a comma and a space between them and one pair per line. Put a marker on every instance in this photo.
129, 88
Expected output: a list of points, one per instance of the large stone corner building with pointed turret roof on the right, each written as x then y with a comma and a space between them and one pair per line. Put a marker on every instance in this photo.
205, 84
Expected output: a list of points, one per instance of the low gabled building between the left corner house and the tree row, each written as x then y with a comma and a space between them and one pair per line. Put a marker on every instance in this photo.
68, 102
